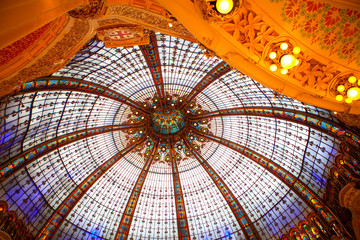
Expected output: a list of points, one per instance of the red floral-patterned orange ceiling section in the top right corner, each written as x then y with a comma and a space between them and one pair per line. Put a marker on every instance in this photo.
333, 30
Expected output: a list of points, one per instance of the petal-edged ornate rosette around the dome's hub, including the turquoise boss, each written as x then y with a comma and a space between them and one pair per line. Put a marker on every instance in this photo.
167, 124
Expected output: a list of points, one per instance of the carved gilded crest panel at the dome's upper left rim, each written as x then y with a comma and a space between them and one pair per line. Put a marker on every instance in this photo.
120, 36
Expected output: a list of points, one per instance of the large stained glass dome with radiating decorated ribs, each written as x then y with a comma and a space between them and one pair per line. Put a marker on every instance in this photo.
160, 142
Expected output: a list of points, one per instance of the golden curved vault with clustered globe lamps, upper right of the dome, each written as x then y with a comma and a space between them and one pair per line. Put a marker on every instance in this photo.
327, 33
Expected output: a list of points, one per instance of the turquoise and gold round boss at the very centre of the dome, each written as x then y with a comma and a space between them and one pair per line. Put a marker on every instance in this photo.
167, 120
